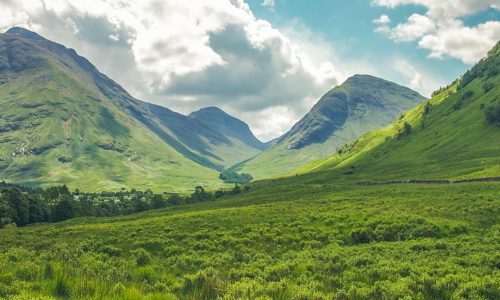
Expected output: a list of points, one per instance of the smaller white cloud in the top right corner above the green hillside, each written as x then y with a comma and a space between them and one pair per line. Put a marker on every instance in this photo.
441, 30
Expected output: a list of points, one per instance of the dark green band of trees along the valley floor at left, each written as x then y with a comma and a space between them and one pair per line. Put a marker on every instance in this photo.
20, 206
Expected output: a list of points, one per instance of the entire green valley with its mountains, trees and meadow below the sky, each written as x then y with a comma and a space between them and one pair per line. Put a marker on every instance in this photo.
376, 193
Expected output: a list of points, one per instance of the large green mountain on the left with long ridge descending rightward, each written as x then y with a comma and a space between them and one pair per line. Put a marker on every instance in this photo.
62, 121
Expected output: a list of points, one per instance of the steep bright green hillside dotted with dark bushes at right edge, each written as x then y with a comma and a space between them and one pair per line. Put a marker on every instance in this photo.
456, 135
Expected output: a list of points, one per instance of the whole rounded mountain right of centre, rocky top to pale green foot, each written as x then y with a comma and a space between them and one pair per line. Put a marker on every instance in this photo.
362, 103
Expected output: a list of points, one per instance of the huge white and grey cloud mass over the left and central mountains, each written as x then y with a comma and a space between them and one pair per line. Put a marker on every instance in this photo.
186, 54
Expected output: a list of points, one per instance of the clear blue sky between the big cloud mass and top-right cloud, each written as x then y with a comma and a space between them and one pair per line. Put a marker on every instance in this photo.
348, 26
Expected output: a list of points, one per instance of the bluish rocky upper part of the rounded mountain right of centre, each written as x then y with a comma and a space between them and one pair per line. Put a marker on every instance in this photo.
374, 100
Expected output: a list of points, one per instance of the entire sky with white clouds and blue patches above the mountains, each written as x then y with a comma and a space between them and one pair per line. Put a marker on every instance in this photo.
266, 62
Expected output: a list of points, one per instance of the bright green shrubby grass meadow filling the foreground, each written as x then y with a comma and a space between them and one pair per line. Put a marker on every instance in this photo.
274, 242
